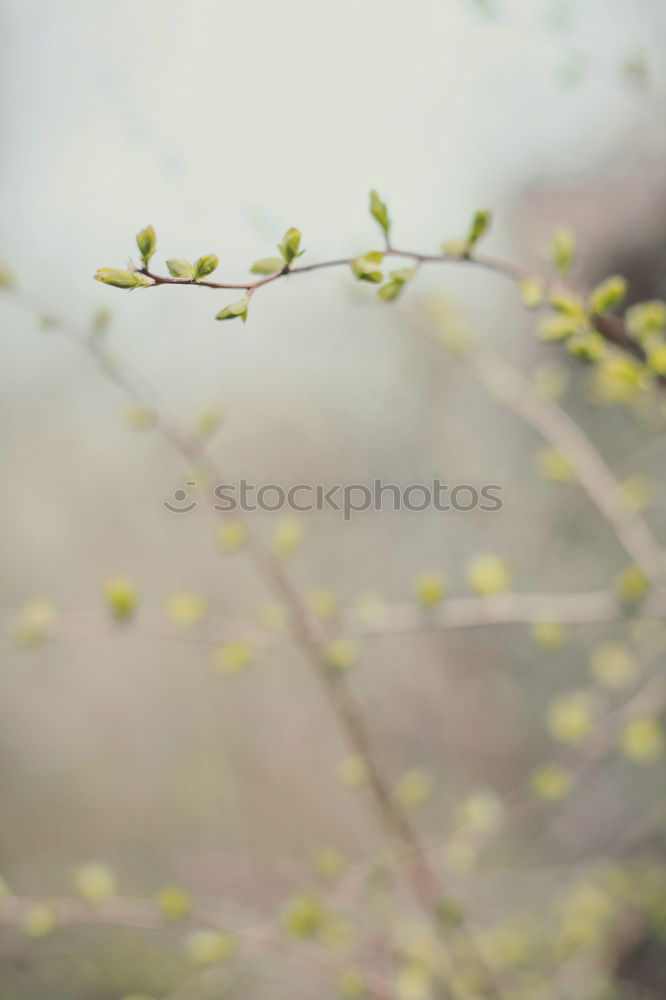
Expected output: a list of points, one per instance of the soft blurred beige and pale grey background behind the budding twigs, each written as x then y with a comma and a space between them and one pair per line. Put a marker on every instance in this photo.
151, 736
